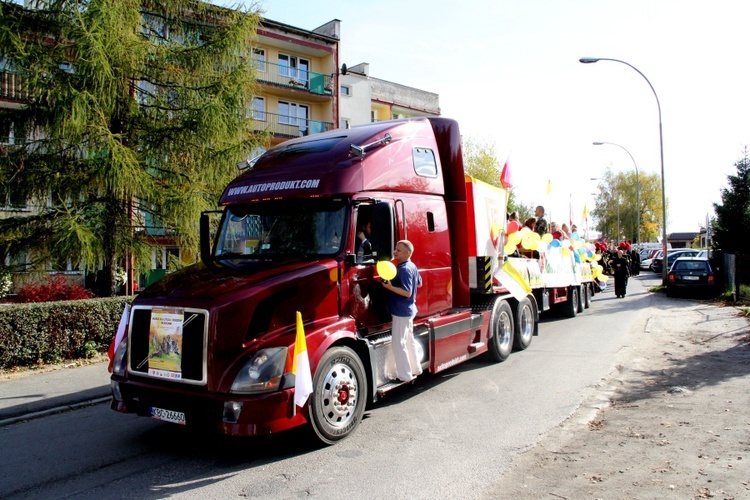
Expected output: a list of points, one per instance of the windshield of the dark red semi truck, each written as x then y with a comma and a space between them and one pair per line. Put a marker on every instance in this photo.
282, 228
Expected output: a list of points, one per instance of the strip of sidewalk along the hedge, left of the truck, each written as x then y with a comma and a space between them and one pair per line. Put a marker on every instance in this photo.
32, 394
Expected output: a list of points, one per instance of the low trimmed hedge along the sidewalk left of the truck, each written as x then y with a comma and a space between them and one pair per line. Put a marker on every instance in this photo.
50, 332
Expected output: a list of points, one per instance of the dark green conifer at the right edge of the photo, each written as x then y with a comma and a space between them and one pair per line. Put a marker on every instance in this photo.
730, 228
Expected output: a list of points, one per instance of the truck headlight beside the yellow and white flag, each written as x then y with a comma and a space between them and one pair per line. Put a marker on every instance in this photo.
262, 373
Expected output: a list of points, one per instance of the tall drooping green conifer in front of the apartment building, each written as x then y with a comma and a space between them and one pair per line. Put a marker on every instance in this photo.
133, 107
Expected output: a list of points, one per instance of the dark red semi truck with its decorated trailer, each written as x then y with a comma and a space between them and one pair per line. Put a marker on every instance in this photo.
213, 343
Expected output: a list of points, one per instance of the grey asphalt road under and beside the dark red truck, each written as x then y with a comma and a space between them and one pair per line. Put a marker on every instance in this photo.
449, 435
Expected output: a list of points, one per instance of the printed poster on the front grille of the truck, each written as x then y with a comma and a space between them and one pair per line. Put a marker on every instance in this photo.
165, 343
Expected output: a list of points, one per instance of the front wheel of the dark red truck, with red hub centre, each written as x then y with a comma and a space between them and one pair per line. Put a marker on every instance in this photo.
339, 395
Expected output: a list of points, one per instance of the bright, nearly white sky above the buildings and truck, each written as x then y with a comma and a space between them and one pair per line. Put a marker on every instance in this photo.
508, 71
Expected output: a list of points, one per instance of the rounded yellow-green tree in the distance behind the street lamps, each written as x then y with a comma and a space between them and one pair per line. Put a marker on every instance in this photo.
616, 213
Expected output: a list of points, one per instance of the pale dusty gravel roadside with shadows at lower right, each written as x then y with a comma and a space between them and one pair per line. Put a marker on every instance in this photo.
673, 419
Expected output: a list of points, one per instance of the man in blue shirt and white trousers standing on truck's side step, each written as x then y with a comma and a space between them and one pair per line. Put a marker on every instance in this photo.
402, 306
